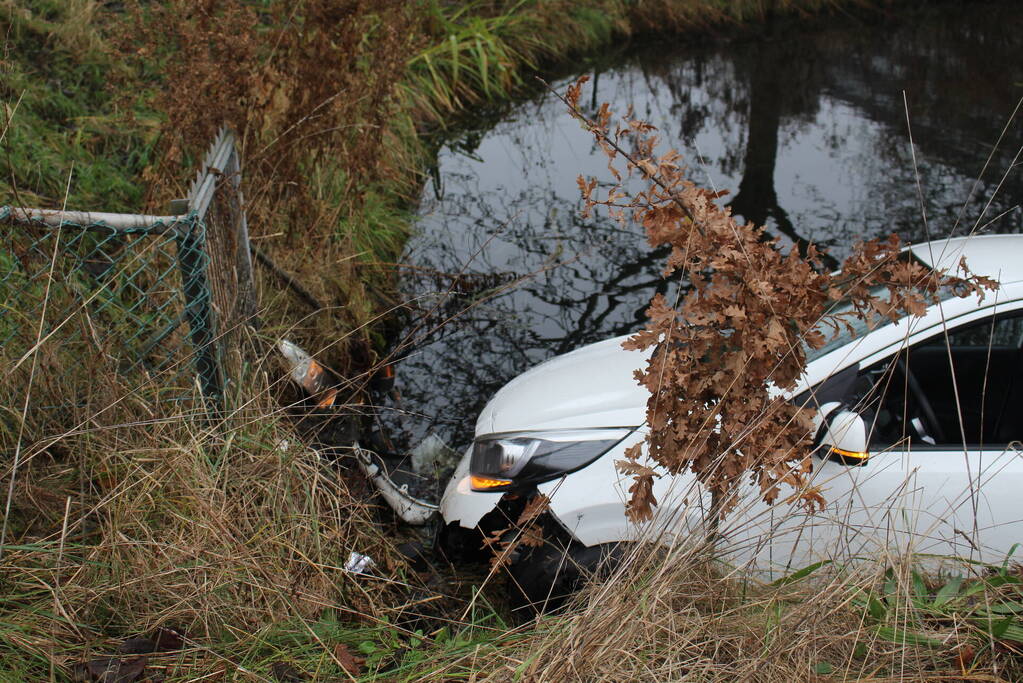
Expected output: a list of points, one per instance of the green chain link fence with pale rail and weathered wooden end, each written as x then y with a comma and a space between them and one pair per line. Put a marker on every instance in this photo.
160, 296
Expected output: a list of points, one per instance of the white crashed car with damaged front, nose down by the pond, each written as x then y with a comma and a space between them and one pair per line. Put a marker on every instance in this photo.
921, 421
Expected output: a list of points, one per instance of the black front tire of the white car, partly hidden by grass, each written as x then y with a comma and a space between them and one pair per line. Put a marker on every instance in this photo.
545, 578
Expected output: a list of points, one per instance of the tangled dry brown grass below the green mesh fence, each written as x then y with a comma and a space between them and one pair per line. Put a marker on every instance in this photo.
130, 513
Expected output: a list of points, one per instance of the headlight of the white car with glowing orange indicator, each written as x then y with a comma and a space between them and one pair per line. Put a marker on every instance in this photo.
504, 462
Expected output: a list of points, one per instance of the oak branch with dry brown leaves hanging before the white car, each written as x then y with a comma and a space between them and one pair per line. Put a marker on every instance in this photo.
724, 353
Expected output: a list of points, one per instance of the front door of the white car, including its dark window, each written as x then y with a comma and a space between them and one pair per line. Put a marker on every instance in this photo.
945, 477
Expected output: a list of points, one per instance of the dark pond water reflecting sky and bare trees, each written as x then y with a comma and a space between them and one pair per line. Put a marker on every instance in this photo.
807, 128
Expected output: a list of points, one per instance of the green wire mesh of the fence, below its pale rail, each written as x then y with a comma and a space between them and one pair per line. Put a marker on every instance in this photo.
139, 297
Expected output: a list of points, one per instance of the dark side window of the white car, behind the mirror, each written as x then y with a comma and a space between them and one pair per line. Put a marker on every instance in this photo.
949, 390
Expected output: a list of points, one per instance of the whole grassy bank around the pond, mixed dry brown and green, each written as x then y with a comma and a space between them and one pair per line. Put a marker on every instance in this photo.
127, 516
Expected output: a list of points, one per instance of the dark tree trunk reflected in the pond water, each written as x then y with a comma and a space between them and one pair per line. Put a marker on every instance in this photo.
757, 200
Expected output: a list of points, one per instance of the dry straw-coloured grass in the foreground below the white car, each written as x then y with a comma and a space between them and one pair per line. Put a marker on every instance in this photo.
671, 616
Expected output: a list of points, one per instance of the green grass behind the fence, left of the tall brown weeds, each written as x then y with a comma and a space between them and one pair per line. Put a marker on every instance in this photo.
68, 126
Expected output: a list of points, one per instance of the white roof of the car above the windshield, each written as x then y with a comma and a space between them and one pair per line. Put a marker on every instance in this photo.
999, 257
